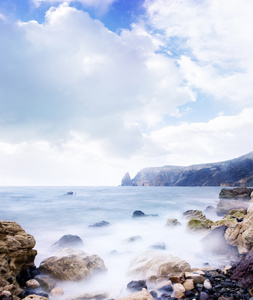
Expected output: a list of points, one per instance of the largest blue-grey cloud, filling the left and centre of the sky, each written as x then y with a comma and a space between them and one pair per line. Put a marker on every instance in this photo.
72, 73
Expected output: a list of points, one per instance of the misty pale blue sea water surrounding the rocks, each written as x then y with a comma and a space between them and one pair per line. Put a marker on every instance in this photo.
48, 213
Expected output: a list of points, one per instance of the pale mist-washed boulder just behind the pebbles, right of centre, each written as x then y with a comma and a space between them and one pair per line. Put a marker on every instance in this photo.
154, 264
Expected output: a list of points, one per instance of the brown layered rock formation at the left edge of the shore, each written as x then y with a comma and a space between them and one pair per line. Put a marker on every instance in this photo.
16, 253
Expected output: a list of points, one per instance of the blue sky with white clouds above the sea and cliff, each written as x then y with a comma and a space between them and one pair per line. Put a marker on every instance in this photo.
92, 89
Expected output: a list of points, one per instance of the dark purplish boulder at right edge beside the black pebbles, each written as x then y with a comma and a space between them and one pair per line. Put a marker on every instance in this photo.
243, 273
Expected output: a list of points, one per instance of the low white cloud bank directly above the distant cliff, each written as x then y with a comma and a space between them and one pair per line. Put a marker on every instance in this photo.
222, 138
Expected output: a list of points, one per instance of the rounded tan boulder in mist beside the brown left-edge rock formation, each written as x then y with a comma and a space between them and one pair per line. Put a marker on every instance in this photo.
73, 265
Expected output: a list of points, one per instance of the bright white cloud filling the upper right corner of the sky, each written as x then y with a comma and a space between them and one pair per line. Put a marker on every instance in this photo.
215, 41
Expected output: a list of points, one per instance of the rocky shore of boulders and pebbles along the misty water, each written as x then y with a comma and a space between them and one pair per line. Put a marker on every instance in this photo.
156, 274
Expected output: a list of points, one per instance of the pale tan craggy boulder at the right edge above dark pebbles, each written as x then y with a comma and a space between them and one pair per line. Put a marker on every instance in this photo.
240, 234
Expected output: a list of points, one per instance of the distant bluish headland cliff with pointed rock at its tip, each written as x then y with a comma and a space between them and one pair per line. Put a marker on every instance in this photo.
235, 172
